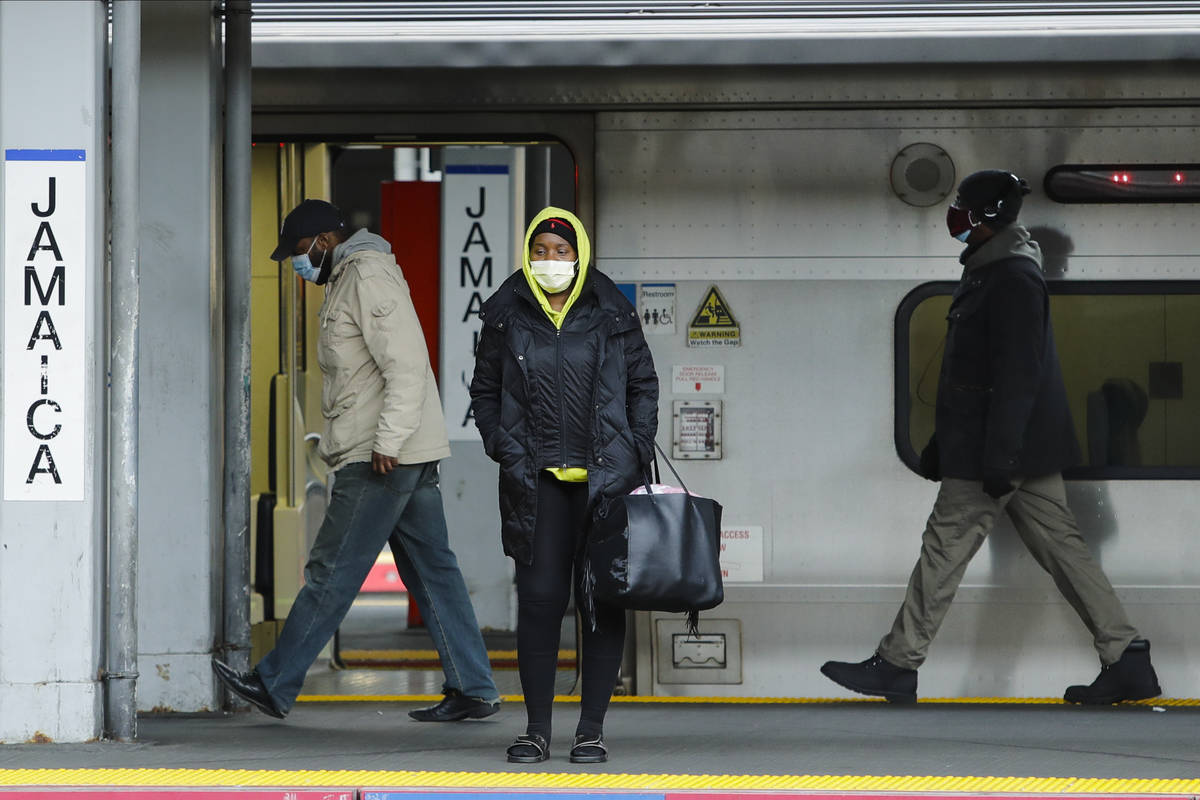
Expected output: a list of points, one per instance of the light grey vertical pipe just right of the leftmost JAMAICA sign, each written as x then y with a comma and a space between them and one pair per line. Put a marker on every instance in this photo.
122, 670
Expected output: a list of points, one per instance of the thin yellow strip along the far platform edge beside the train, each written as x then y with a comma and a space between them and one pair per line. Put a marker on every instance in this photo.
1162, 702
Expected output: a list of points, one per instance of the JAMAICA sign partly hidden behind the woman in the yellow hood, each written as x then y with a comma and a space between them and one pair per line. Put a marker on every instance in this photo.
477, 234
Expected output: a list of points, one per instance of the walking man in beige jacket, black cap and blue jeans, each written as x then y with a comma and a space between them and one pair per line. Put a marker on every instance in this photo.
385, 435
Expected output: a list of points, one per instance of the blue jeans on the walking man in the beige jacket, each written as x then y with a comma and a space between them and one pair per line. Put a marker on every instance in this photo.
403, 509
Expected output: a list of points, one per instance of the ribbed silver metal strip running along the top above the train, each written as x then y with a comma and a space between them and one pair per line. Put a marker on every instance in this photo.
613, 35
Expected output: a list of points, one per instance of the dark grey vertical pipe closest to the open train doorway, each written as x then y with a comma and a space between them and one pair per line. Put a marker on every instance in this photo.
236, 596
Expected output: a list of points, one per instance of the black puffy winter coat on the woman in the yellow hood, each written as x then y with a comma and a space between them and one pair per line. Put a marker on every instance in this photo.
585, 396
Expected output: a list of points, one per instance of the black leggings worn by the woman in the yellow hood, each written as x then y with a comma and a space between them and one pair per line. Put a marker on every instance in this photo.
543, 590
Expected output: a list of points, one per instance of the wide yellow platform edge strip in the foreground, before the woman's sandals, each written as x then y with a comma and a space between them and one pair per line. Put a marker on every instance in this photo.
371, 779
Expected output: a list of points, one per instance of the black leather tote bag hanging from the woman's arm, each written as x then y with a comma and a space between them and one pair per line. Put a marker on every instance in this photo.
657, 552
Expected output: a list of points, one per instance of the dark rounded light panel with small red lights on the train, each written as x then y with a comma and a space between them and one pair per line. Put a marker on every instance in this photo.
1124, 184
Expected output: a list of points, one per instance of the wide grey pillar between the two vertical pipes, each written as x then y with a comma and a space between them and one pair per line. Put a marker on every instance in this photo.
181, 430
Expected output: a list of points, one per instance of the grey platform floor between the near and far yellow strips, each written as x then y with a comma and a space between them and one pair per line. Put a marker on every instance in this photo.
765, 739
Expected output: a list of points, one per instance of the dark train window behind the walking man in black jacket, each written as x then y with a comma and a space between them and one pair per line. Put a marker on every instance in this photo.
1130, 353
